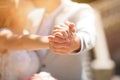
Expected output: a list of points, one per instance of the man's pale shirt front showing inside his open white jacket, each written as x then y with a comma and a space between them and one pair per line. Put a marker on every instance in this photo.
47, 24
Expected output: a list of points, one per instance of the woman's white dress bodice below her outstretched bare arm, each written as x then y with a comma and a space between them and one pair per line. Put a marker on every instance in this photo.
18, 65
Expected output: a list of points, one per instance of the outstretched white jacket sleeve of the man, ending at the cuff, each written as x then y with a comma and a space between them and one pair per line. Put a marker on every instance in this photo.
86, 23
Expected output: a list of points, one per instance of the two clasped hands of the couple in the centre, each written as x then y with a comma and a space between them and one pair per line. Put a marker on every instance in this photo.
63, 38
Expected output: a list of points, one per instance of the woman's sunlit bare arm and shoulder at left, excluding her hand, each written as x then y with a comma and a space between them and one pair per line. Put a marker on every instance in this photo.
12, 37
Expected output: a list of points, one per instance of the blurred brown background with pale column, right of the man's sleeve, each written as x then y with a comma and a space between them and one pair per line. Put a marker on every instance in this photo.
110, 47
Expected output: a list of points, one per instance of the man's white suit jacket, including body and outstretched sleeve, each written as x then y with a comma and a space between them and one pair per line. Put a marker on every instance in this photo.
69, 67
